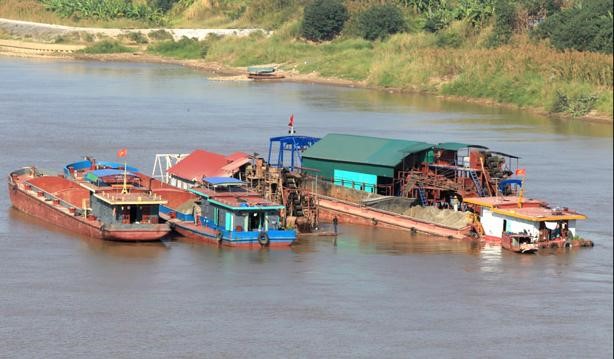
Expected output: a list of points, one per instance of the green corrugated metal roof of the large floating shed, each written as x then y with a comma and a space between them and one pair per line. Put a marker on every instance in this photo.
364, 149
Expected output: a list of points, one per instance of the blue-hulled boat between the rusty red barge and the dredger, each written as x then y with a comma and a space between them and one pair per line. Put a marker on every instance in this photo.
222, 210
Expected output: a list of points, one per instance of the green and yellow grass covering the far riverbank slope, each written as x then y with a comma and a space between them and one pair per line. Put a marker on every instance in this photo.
457, 60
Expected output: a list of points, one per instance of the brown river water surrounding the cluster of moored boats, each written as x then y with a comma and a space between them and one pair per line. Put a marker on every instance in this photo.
375, 294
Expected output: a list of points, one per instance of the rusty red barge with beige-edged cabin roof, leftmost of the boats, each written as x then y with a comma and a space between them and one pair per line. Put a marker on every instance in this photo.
91, 205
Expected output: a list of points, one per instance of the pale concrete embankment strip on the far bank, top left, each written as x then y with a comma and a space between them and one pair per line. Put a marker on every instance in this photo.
50, 32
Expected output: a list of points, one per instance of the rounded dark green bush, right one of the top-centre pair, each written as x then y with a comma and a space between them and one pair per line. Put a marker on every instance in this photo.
379, 21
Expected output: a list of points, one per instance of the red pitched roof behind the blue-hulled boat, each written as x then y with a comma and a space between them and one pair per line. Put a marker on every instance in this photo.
201, 163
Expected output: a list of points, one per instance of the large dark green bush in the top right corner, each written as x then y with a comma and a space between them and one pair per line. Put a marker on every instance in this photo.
583, 28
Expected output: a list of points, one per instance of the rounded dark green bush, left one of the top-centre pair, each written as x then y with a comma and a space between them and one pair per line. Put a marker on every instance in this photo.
323, 19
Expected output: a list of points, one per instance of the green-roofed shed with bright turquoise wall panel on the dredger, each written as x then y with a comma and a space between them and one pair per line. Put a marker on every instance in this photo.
364, 162
